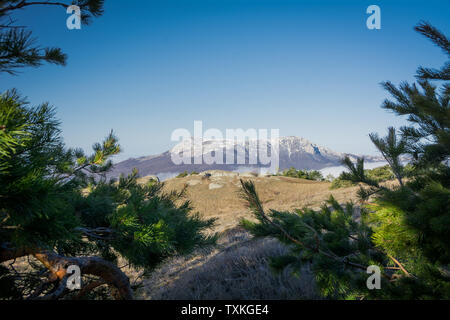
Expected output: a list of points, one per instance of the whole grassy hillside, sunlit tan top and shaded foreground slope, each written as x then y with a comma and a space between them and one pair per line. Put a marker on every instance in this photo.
237, 268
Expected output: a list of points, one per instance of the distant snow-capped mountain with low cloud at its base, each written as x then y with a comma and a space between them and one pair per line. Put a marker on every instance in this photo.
293, 152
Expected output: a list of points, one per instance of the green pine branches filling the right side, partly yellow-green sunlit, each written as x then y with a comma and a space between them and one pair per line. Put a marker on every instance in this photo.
404, 230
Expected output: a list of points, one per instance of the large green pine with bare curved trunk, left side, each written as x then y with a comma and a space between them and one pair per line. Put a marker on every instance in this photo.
57, 206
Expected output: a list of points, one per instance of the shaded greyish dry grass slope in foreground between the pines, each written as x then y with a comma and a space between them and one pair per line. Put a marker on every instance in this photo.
236, 269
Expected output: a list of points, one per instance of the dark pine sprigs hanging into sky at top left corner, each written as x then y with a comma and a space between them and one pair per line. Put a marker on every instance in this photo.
18, 47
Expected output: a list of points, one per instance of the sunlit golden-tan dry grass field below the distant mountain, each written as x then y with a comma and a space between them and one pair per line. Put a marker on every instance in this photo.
279, 193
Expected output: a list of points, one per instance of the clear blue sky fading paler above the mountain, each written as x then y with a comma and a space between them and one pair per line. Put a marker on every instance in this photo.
309, 68
